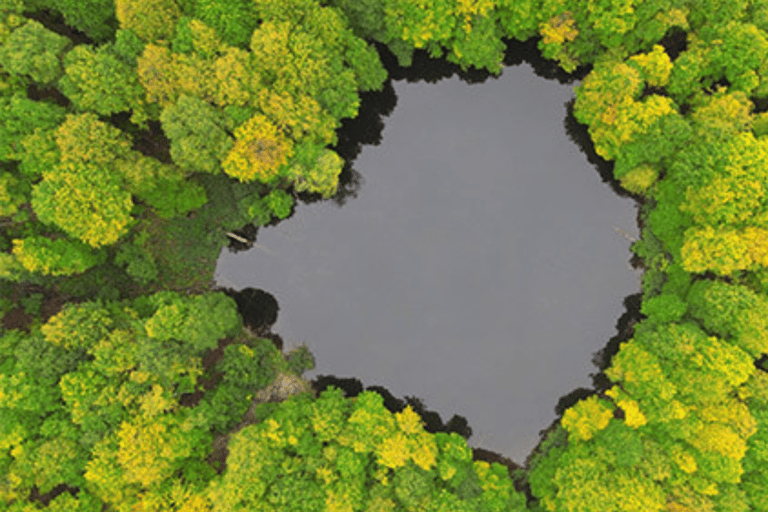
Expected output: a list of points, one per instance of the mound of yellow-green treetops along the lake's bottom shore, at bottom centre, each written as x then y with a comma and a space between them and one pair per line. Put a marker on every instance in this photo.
330, 453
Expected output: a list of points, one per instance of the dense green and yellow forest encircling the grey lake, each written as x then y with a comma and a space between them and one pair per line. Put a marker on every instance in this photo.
136, 134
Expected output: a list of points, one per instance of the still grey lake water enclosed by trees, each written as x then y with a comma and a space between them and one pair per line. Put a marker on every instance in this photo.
478, 268
